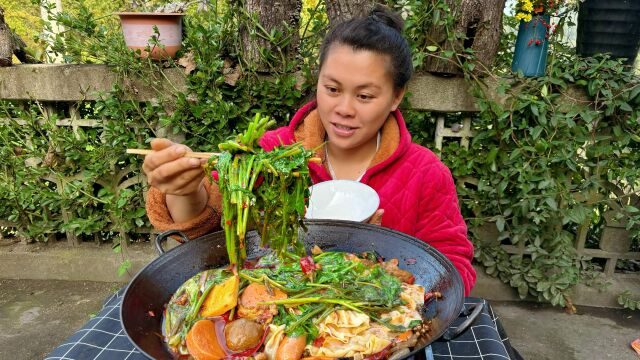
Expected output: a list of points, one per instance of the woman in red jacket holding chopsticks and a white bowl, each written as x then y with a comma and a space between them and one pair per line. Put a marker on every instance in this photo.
365, 65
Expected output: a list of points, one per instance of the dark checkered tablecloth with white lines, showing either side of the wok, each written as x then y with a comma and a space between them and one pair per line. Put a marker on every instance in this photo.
102, 338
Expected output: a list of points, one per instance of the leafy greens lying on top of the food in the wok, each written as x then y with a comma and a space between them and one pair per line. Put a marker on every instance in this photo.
342, 281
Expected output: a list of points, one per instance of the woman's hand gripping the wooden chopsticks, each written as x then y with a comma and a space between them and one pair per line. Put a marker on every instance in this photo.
170, 172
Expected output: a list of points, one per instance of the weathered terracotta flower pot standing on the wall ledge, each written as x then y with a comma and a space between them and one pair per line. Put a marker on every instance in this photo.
138, 29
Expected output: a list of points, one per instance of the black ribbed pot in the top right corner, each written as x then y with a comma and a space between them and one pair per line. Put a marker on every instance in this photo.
609, 26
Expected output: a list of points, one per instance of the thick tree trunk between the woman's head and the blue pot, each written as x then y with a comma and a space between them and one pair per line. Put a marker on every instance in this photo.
481, 22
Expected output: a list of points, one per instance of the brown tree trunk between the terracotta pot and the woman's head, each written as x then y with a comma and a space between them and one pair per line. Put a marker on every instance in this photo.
282, 16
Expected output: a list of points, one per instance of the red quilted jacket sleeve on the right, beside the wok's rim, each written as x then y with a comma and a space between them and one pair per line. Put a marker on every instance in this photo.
441, 225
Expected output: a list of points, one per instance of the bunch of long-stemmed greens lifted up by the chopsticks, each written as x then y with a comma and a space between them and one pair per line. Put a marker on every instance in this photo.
276, 206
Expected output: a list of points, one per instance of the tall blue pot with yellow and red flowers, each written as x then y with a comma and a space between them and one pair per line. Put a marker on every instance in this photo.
532, 42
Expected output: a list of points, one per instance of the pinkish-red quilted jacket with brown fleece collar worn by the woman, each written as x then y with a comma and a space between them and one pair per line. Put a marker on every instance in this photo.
416, 189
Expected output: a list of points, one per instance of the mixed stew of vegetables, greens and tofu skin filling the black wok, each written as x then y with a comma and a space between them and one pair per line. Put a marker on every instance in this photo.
325, 305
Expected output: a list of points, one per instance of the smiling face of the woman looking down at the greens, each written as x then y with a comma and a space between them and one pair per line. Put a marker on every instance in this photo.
355, 95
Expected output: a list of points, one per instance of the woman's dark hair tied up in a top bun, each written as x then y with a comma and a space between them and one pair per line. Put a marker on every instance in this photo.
380, 32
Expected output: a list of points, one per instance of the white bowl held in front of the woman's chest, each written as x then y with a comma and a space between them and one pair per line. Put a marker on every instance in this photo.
342, 200
